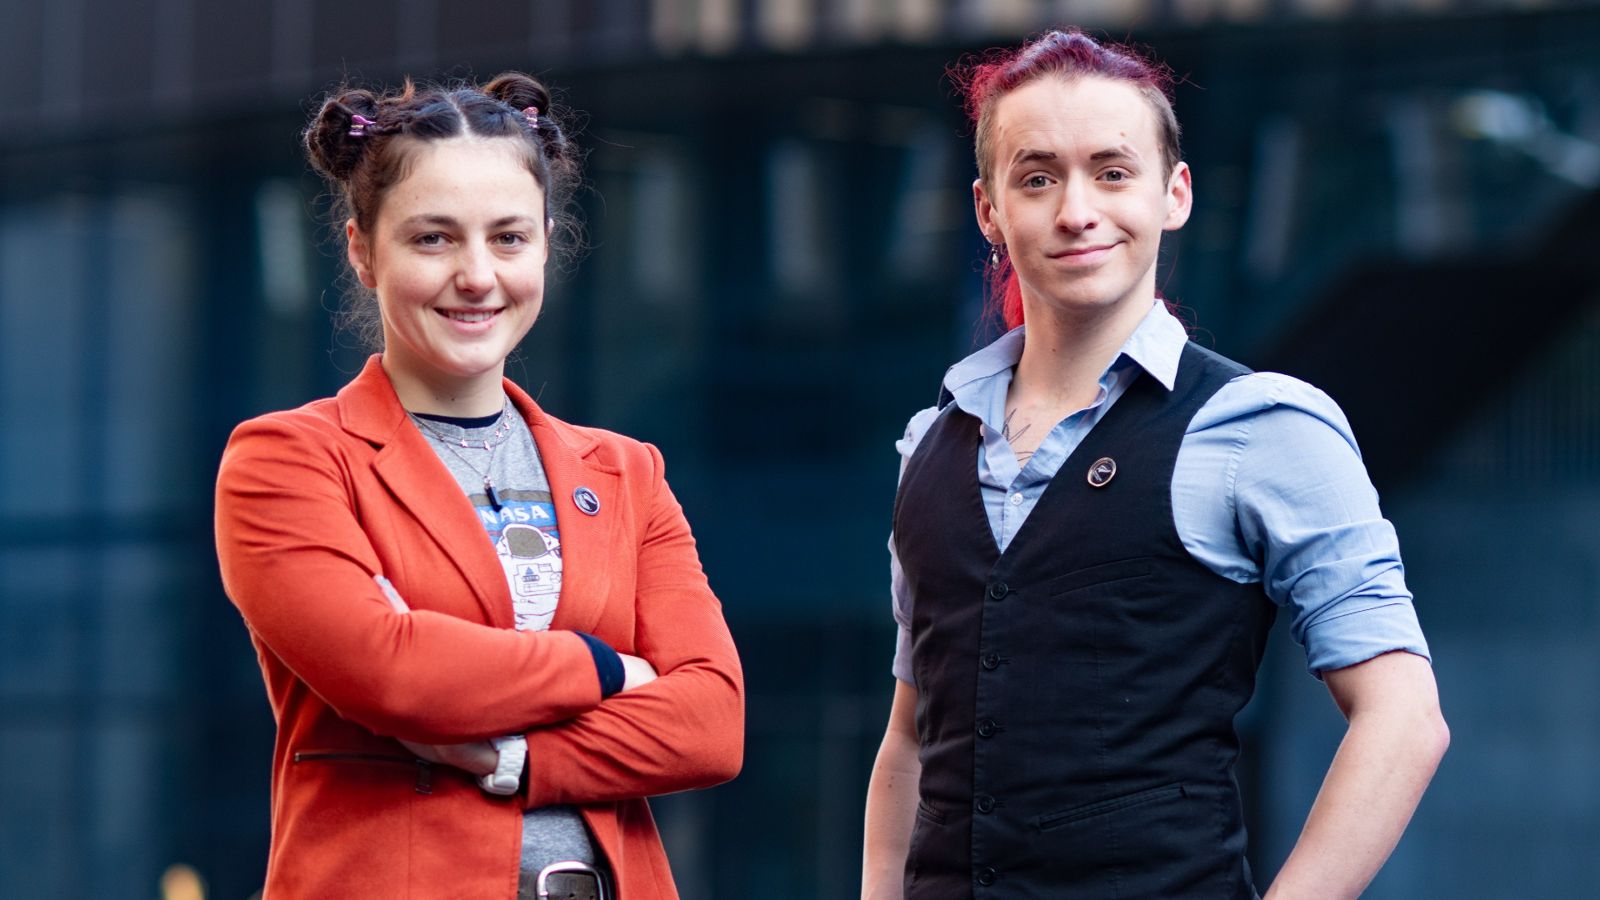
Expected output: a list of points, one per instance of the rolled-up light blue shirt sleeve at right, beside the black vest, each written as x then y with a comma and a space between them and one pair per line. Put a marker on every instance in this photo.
1303, 520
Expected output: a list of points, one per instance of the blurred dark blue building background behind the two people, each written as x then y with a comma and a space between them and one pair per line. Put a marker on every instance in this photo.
1396, 199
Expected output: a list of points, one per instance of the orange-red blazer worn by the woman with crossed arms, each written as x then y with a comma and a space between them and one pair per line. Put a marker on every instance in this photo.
313, 504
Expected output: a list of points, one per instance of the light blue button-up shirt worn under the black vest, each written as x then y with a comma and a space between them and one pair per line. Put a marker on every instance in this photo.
1270, 488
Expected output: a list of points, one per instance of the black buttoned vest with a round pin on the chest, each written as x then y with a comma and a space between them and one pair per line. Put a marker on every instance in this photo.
1076, 696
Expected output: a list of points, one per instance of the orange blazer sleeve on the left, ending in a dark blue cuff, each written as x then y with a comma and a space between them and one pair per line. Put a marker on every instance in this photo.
300, 568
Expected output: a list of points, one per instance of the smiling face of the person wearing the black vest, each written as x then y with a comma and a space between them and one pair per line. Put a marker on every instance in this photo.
1079, 196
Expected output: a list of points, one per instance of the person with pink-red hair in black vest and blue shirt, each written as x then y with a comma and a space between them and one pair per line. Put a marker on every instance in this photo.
1094, 534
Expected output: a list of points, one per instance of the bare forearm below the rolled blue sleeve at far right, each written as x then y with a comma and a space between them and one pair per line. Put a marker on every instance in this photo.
1374, 785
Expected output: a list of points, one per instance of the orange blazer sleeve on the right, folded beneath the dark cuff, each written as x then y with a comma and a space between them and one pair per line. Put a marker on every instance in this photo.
679, 733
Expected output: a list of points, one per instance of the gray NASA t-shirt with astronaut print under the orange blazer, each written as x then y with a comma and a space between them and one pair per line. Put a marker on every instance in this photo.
529, 544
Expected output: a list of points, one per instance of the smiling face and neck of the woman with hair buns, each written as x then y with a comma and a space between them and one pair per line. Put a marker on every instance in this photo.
457, 257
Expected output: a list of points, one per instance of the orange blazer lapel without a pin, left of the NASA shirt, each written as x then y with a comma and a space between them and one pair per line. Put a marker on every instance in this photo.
423, 486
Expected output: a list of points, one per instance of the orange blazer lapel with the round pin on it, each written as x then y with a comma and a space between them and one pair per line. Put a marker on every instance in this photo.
588, 540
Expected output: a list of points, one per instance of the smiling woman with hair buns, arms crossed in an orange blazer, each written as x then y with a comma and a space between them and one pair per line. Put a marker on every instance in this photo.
484, 632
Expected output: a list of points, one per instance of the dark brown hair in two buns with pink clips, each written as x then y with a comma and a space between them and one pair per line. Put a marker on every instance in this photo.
364, 143
